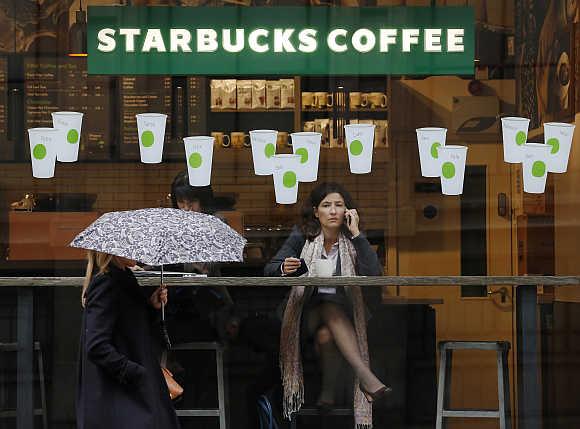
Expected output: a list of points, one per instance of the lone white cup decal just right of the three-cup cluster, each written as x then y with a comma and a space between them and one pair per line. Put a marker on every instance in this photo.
360, 143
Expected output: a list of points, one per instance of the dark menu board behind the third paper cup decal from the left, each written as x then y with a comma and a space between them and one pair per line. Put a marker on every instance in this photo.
144, 94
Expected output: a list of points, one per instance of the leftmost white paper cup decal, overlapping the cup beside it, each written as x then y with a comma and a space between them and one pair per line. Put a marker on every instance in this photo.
43, 146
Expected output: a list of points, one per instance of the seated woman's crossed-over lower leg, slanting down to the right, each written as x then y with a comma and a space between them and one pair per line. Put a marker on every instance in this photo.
344, 336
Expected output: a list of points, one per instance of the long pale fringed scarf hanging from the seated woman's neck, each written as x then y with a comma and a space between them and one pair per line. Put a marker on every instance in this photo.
290, 357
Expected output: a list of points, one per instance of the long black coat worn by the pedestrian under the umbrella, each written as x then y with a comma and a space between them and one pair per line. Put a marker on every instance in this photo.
120, 383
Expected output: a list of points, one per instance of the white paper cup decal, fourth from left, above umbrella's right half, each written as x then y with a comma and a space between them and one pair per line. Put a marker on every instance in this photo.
199, 158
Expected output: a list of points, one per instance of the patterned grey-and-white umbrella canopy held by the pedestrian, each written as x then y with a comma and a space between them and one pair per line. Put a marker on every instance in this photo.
159, 236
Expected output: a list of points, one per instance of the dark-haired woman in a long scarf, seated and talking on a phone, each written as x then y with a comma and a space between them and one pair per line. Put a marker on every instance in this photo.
333, 318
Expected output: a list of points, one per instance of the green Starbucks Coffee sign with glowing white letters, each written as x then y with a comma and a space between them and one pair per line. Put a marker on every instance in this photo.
280, 40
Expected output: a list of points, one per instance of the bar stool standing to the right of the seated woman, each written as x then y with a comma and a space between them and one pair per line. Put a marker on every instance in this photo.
444, 389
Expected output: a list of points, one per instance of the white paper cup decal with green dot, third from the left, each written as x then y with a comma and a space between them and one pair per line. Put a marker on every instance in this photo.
151, 130
